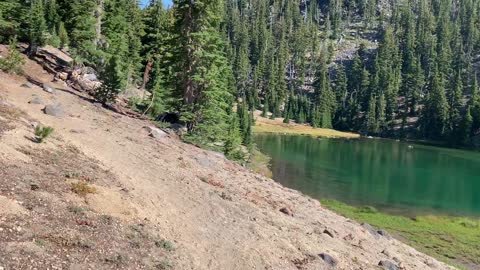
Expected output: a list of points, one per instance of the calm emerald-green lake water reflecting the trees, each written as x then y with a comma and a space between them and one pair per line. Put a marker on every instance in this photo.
395, 177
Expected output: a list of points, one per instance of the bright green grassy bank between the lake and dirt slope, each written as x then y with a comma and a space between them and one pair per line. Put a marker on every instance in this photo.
454, 240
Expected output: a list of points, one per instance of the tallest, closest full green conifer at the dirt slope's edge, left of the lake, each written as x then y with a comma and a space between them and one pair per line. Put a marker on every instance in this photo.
202, 70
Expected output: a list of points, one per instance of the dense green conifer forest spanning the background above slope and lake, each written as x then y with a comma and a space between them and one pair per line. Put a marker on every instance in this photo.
394, 68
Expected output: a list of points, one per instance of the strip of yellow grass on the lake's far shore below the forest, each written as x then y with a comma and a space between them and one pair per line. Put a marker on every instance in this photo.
264, 125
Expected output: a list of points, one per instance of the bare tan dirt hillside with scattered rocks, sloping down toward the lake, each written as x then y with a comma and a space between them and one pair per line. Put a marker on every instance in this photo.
156, 203
